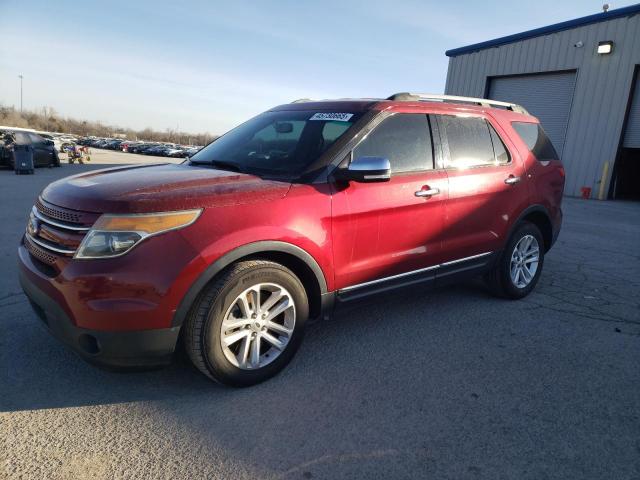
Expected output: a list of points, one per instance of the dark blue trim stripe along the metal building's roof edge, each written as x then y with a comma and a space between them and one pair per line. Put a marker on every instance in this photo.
557, 27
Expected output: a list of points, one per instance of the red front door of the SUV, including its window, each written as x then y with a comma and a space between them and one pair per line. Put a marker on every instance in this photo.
388, 233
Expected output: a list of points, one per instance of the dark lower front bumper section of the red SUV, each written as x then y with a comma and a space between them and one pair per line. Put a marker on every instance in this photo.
131, 348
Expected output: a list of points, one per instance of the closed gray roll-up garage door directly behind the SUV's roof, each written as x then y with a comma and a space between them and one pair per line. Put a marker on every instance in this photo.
547, 96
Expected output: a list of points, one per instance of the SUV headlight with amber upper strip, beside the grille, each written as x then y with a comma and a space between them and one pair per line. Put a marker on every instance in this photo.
115, 235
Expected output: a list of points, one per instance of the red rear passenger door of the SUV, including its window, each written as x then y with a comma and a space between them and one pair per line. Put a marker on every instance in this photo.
487, 189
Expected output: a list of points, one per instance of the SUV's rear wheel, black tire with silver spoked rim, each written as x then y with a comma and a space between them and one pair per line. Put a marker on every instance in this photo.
500, 279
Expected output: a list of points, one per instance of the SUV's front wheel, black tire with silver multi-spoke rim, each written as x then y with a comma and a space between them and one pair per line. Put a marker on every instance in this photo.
203, 335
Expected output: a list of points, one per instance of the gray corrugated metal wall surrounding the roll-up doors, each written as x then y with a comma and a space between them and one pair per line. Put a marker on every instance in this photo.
601, 94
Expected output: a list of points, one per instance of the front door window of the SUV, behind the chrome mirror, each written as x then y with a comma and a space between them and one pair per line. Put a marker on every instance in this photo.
404, 139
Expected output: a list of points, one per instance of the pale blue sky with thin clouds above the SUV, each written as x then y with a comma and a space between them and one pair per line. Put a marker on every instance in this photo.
205, 66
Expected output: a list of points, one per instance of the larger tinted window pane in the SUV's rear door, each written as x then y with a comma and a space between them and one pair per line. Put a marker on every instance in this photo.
469, 141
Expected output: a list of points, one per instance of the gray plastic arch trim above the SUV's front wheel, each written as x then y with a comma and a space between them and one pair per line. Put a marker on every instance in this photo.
228, 258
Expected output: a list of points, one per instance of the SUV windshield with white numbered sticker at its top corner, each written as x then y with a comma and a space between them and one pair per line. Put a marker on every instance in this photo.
280, 144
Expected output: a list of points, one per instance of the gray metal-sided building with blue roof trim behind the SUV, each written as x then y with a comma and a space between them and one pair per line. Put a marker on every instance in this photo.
583, 99
